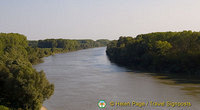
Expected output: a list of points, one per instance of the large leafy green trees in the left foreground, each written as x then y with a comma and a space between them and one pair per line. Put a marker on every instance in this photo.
21, 86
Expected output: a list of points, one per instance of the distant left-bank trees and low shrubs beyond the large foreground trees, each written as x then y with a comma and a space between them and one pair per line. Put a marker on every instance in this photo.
42, 48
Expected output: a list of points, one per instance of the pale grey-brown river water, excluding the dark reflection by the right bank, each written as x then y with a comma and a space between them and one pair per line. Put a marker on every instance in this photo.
84, 77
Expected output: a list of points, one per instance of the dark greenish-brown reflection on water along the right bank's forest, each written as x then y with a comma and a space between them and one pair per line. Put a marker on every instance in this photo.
187, 82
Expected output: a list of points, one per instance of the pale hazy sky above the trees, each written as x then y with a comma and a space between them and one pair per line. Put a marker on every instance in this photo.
97, 19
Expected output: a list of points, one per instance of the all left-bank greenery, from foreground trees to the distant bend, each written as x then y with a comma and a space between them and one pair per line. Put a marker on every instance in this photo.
21, 86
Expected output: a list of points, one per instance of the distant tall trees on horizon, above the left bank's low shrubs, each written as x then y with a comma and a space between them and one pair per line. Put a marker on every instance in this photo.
68, 44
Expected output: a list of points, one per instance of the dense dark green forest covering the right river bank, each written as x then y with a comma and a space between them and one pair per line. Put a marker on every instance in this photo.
169, 52
